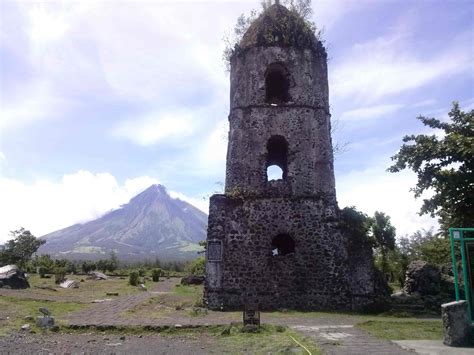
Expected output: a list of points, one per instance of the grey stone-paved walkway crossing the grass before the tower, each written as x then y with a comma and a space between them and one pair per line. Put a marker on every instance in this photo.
335, 335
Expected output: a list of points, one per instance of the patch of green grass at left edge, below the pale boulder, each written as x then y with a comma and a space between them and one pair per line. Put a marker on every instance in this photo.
15, 310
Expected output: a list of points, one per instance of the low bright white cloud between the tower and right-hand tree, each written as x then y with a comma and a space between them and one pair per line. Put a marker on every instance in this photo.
373, 189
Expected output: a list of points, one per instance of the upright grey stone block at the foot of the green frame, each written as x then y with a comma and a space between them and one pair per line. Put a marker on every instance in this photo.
456, 323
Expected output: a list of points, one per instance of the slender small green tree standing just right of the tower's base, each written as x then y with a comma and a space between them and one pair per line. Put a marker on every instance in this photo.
383, 234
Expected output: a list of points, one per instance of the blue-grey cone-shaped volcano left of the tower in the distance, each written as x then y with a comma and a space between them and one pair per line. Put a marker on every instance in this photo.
152, 225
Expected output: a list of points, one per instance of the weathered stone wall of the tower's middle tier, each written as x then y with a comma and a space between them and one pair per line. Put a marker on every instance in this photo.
310, 166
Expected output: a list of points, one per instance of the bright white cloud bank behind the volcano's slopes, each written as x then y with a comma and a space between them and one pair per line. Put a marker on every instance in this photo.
44, 206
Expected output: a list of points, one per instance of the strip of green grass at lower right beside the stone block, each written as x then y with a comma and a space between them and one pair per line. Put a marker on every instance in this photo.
406, 329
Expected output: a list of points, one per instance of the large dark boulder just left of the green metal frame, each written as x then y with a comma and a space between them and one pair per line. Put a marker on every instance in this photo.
422, 278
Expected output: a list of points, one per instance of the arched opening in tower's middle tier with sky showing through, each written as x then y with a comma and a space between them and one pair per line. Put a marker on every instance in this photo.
277, 157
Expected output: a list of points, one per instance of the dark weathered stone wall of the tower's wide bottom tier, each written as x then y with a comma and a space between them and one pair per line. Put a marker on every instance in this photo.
319, 275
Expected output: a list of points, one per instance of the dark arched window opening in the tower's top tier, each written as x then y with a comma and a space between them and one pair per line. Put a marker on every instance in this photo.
277, 84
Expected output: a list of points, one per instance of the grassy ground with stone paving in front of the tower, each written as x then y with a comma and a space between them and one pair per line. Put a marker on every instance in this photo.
168, 318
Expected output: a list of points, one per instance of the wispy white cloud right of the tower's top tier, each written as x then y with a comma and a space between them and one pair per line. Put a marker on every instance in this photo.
386, 66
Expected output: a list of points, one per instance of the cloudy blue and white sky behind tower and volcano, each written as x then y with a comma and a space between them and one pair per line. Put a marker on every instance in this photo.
100, 99
